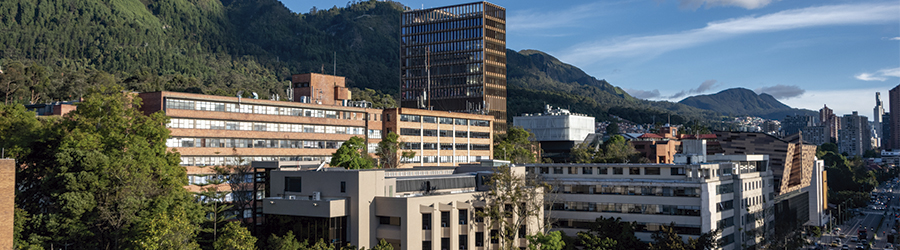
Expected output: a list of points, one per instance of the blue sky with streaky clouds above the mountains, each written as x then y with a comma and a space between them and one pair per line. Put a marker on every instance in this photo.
806, 53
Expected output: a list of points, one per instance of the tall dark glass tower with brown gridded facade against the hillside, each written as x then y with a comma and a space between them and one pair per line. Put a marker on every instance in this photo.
453, 58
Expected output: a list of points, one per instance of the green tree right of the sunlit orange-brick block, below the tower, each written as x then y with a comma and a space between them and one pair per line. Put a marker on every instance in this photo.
516, 146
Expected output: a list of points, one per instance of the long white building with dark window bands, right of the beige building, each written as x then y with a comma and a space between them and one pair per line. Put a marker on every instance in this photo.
699, 193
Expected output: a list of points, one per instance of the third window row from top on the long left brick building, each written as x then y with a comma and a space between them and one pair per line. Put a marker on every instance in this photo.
183, 142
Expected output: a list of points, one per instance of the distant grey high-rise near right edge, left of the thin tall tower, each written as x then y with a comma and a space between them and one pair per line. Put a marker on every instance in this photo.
855, 137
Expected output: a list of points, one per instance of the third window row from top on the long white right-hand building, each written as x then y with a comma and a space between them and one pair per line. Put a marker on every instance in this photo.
625, 208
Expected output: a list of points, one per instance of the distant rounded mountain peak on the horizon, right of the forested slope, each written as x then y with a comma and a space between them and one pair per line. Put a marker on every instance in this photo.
741, 101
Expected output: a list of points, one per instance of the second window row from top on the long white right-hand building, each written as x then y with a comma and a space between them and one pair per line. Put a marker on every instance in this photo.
629, 190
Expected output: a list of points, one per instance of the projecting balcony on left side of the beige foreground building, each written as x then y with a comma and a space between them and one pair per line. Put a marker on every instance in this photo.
304, 206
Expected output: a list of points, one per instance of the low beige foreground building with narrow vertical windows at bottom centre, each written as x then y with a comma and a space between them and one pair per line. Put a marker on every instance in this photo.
413, 208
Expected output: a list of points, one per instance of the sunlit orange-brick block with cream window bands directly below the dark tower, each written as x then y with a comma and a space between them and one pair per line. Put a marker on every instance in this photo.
440, 138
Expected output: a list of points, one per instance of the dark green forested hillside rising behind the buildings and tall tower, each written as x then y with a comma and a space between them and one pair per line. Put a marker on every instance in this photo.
55, 50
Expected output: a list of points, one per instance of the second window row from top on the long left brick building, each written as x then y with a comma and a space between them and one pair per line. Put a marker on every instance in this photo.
263, 126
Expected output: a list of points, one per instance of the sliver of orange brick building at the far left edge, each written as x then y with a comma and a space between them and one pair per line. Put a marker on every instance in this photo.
7, 202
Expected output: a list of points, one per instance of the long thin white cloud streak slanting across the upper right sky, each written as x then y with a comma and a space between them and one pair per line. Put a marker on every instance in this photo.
848, 14
